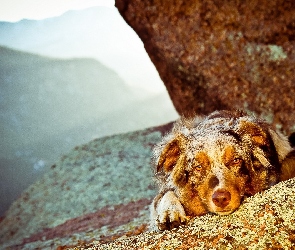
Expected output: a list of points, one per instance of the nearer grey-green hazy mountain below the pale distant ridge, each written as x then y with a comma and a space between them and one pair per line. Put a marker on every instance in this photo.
49, 105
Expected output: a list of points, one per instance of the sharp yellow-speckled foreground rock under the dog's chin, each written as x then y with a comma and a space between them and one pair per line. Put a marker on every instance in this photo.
264, 221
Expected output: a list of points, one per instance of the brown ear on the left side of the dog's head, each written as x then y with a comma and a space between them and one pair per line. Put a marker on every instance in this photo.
170, 155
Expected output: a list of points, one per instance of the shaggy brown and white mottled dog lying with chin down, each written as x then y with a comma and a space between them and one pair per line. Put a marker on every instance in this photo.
210, 164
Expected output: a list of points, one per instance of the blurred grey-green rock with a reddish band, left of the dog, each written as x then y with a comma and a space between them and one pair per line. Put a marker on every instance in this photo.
99, 190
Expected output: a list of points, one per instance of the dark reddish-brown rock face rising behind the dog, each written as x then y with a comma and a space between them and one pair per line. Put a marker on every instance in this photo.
214, 54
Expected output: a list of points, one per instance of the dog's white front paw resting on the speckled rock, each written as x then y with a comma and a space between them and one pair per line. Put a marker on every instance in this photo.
170, 212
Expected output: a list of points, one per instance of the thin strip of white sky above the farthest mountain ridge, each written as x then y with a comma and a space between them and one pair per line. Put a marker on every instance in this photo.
15, 10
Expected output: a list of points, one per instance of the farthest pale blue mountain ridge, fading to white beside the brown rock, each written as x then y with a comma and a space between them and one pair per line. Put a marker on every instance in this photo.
98, 32
